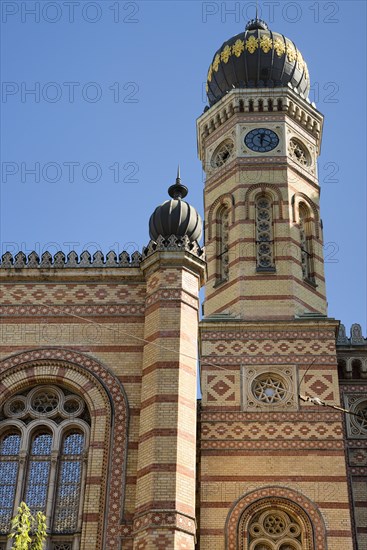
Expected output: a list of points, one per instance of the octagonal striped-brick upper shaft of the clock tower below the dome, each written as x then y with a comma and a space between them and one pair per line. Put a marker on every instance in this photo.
250, 293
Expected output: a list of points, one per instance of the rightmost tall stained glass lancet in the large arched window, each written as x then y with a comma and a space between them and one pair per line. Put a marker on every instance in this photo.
68, 488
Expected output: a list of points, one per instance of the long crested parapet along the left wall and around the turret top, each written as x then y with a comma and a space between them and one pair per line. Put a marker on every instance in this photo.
98, 259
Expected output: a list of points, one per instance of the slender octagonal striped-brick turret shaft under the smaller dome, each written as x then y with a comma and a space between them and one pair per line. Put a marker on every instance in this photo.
165, 497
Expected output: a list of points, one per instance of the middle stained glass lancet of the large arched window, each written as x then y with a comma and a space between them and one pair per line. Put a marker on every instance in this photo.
38, 472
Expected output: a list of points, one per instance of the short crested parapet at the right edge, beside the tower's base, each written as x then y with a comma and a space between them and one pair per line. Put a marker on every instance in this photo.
352, 353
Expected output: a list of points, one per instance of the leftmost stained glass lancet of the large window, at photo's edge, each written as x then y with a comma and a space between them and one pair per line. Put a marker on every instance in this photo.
9, 451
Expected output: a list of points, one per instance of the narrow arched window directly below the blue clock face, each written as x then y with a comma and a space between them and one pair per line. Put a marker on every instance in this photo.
264, 234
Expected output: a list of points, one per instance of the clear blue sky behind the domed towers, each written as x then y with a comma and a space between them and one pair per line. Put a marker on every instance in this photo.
117, 90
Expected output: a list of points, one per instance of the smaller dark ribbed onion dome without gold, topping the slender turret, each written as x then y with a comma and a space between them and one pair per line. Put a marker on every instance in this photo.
175, 216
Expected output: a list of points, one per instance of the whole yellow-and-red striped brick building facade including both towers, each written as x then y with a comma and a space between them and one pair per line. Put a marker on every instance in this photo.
253, 466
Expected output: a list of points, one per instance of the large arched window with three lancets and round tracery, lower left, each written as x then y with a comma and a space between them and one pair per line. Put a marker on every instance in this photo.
43, 442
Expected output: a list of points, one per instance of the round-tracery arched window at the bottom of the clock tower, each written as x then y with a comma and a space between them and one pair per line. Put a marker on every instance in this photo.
275, 530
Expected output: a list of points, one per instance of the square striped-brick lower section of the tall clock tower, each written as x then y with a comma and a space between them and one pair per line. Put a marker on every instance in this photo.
276, 453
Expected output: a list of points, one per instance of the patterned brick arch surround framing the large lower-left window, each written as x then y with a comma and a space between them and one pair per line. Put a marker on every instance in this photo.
106, 400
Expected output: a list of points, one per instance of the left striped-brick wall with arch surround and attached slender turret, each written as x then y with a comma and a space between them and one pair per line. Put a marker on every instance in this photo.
85, 329
